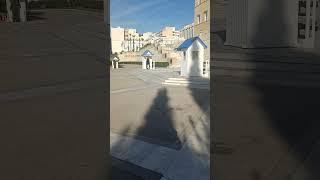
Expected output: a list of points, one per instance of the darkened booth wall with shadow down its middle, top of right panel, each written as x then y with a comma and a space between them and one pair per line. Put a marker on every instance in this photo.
262, 23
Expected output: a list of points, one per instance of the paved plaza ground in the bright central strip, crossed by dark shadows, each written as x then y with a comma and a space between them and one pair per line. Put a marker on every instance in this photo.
164, 129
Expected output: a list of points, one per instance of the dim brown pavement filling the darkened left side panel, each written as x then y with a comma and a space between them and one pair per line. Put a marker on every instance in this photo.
53, 97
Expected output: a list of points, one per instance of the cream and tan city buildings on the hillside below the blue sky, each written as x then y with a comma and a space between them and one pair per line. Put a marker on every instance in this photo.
129, 41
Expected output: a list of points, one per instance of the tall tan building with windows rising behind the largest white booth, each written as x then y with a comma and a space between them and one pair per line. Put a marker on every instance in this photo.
202, 25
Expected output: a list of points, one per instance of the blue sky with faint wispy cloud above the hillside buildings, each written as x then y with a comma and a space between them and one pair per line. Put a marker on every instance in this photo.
151, 15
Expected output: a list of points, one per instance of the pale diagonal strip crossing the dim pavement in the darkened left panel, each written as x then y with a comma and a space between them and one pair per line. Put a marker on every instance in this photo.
52, 89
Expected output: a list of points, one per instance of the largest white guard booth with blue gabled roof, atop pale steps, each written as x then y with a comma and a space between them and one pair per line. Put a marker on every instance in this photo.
192, 64
